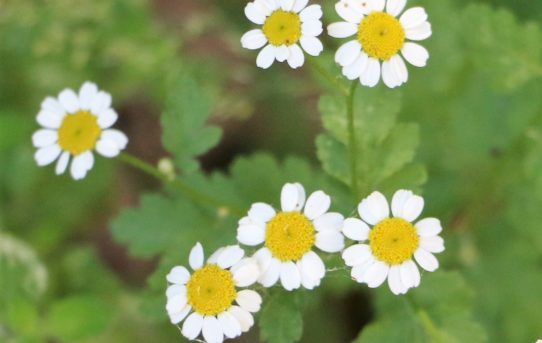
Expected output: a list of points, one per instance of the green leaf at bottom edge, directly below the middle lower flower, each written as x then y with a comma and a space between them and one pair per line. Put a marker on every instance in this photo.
280, 320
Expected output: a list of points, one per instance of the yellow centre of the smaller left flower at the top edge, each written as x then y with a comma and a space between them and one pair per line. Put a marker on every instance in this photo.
282, 28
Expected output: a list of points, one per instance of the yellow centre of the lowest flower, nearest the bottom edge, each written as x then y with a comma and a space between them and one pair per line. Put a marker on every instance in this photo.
211, 290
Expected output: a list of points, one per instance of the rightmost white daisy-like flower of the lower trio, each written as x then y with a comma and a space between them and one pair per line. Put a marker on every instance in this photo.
388, 248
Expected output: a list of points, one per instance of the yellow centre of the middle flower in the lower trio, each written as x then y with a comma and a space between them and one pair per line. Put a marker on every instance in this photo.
289, 236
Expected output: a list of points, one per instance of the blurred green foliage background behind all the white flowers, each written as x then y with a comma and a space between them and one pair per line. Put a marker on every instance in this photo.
467, 130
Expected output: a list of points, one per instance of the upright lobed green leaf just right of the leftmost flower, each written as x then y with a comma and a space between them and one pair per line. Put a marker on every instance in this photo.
185, 133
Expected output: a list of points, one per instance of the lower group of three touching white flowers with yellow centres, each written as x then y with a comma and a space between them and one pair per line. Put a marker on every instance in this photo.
385, 248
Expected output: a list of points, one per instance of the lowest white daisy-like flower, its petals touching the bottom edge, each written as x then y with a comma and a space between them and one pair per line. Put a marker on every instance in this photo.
209, 298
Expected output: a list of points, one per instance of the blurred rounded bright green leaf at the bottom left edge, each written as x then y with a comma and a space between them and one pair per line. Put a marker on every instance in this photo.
80, 317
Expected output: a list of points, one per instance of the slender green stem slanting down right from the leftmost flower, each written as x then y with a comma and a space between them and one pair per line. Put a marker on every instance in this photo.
177, 184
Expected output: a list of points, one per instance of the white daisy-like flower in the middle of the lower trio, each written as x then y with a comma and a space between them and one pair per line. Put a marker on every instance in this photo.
290, 235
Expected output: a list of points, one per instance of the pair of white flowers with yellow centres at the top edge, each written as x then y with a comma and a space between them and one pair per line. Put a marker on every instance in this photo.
383, 32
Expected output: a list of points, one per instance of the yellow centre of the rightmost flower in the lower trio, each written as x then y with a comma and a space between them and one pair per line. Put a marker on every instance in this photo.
394, 240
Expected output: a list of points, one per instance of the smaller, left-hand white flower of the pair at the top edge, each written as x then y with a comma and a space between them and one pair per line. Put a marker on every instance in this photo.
286, 24
